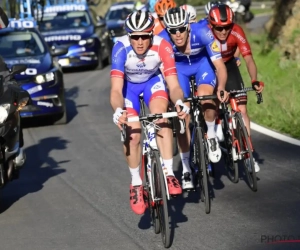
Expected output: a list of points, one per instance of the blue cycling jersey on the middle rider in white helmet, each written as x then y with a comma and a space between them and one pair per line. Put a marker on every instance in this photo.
202, 44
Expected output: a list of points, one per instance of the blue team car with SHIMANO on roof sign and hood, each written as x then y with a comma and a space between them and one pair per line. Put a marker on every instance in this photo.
77, 27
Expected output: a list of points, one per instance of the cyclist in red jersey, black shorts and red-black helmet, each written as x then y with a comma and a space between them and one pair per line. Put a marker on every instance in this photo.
231, 36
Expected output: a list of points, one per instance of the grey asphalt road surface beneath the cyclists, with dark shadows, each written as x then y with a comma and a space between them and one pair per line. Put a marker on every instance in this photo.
73, 192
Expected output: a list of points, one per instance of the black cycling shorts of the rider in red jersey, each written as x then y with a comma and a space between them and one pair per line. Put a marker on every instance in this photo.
235, 81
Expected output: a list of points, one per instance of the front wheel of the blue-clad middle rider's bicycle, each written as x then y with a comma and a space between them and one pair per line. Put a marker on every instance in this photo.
202, 162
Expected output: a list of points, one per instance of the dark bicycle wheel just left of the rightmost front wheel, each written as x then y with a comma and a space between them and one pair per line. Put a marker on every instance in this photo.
230, 165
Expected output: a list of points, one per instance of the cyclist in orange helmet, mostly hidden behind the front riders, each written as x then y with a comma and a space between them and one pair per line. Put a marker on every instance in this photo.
161, 7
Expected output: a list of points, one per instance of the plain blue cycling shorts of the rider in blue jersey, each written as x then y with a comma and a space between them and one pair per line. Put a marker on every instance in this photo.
203, 71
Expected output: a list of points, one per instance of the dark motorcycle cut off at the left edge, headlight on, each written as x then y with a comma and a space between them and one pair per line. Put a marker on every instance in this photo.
12, 99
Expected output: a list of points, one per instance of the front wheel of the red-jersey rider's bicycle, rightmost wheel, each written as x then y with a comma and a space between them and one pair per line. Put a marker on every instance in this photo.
246, 151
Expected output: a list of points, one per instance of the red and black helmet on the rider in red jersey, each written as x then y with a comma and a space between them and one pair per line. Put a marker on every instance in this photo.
220, 15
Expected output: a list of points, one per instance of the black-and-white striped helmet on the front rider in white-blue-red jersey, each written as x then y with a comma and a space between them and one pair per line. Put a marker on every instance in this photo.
139, 21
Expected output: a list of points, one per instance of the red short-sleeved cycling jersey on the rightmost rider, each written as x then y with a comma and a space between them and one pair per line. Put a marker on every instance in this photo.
235, 39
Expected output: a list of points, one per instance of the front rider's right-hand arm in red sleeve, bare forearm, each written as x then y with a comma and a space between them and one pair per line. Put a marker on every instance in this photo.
168, 60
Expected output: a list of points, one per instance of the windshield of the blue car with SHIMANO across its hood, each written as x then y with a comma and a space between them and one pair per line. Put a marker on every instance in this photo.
65, 20
